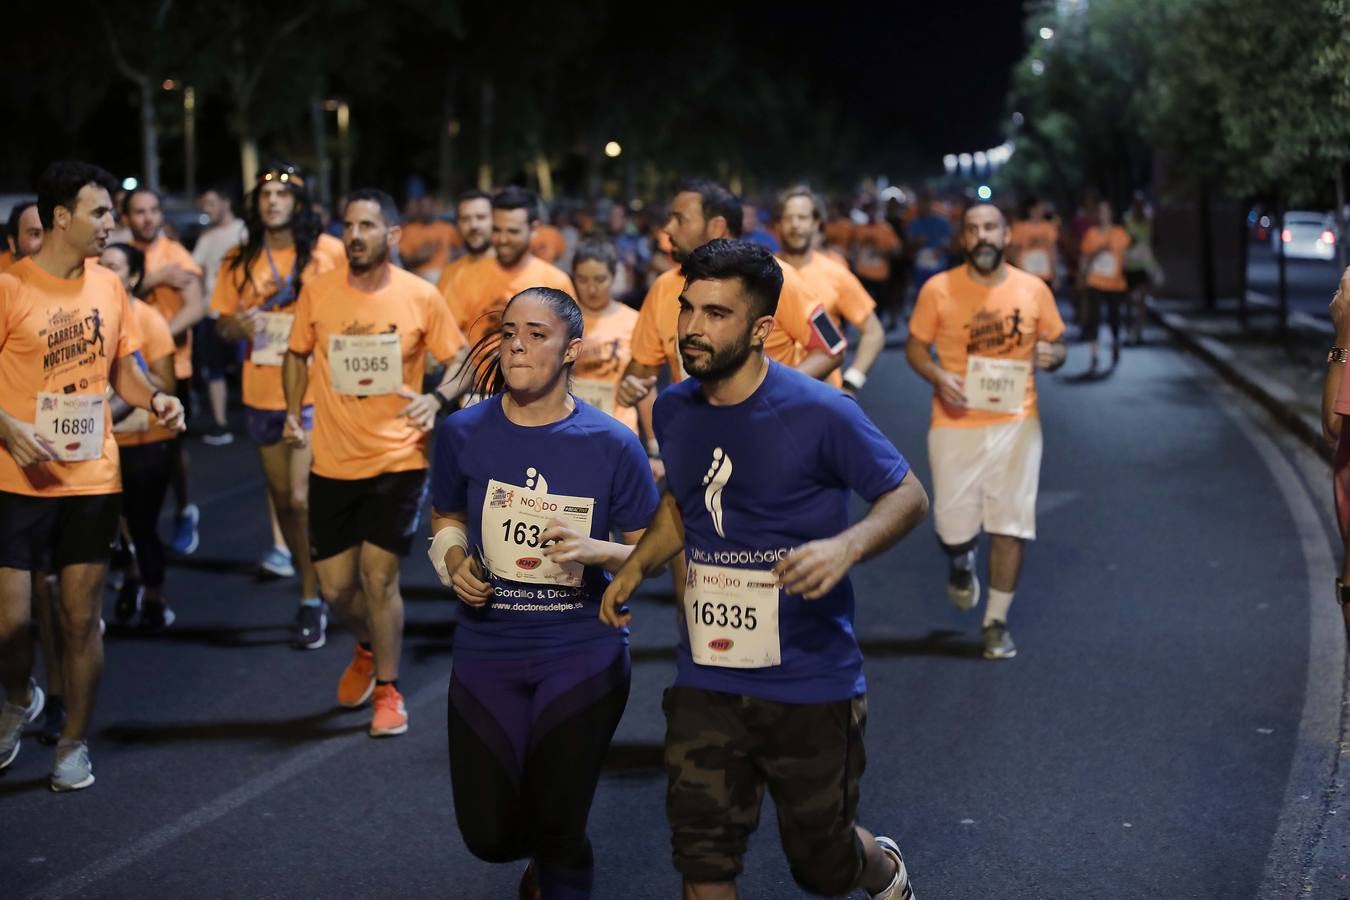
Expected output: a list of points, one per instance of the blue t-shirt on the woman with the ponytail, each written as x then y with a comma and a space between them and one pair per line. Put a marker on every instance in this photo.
589, 454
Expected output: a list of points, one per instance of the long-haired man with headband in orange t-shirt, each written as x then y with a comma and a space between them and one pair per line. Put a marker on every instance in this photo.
256, 302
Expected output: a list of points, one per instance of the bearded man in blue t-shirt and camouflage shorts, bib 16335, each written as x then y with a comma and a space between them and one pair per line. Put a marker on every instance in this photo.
761, 462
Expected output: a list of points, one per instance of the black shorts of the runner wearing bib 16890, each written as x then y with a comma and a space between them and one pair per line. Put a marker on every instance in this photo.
49, 534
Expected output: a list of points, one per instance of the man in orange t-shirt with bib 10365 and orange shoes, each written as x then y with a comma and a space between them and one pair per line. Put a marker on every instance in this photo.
369, 329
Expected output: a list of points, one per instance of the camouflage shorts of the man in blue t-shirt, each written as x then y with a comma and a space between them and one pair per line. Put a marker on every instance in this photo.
723, 751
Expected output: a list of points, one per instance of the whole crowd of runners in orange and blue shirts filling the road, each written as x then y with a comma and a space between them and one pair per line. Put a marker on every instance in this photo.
588, 404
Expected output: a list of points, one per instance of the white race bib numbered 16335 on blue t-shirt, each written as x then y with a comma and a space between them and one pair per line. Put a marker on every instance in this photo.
732, 617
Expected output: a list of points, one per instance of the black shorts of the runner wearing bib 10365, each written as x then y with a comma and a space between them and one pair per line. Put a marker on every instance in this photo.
383, 511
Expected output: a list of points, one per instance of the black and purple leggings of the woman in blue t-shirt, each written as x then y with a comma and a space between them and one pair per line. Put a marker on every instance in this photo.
527, 744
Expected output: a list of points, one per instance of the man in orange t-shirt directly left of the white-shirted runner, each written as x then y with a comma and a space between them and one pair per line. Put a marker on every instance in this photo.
173, 288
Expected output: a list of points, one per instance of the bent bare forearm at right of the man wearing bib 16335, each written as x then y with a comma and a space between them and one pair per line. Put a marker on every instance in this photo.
813, 570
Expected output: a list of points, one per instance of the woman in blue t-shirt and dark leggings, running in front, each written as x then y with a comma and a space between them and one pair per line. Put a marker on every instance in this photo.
527, 489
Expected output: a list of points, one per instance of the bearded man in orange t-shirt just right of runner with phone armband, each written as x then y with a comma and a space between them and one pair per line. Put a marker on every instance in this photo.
831, 283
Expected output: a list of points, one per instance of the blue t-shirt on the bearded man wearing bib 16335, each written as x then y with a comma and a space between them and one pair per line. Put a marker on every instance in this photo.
786, 461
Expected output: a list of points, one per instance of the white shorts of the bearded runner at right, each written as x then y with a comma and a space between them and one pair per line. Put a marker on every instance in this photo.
986, 477
